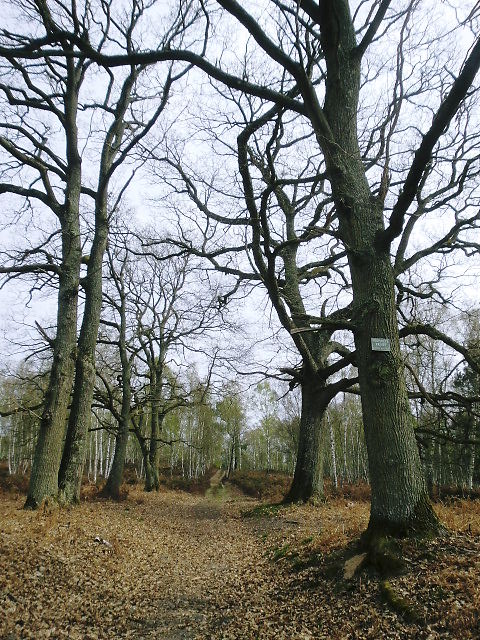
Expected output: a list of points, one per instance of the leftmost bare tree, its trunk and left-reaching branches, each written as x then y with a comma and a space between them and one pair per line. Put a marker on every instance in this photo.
39, 114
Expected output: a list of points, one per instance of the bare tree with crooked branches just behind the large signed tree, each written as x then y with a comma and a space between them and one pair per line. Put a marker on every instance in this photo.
279, 211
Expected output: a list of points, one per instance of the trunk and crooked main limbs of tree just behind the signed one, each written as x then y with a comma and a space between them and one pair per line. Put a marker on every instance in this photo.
285, 286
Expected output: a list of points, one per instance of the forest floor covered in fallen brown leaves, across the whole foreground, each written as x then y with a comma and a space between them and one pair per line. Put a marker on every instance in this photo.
174, 566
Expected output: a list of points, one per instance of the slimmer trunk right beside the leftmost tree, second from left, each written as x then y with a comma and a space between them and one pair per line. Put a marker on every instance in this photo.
73, 460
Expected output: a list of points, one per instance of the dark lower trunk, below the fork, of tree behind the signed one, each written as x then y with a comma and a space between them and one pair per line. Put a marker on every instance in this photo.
307, 481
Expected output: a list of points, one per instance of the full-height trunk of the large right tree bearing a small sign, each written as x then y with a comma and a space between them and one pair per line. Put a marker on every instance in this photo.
399, 498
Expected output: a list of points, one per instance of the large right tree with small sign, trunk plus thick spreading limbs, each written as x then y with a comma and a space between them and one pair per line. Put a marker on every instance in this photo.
399, 496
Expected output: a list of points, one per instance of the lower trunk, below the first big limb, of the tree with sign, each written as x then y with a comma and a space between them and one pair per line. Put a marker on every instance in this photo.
400, 500
